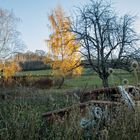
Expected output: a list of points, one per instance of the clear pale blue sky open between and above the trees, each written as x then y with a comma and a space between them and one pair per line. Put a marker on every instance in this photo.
33, 14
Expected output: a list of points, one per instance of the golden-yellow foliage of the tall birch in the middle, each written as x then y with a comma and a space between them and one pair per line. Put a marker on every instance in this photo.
63, 47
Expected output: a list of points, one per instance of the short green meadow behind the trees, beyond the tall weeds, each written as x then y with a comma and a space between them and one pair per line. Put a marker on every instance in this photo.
88, 78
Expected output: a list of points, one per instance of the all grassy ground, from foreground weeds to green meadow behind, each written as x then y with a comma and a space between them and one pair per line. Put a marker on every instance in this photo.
21, 111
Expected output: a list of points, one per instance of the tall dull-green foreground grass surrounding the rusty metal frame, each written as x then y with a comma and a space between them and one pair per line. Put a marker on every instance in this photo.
22, 120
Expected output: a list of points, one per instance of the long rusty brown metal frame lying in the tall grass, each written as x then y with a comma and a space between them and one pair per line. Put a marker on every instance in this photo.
84, 103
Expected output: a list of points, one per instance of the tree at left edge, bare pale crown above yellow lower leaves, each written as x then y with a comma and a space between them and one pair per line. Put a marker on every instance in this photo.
10, 42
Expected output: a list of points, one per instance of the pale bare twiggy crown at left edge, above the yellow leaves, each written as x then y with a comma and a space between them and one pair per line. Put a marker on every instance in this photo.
10, 41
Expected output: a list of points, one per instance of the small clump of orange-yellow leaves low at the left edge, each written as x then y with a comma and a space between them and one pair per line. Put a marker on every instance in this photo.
9, 69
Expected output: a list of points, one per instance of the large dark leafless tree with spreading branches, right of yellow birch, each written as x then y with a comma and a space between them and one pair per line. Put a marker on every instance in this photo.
105, 38
